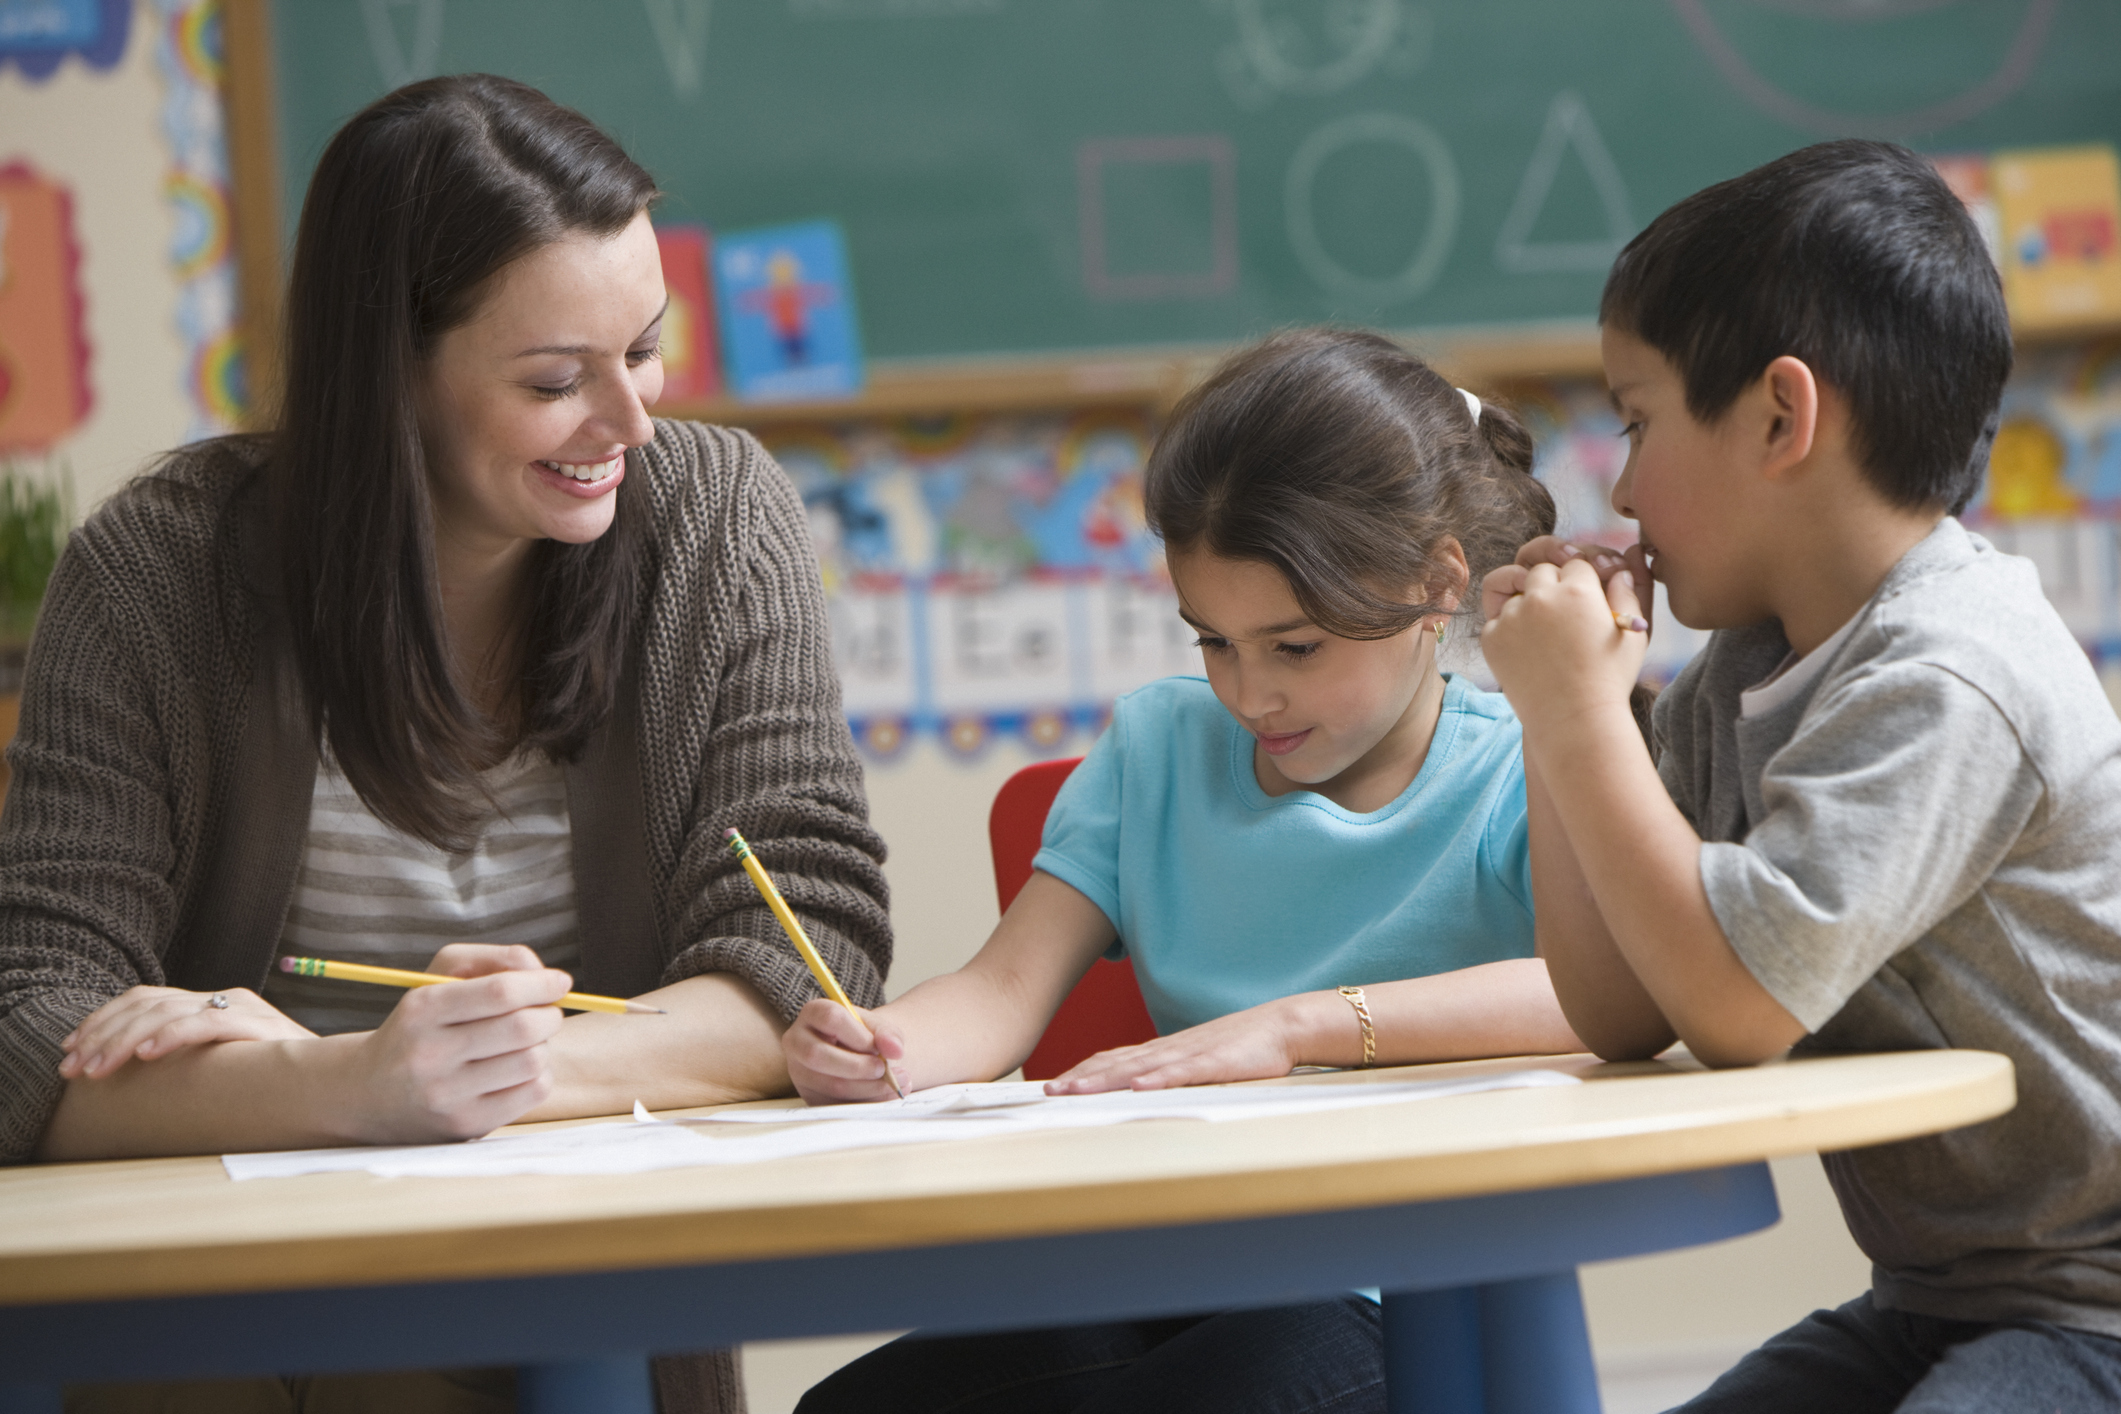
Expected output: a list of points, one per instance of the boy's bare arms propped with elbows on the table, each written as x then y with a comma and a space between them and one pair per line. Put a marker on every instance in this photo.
1568, 673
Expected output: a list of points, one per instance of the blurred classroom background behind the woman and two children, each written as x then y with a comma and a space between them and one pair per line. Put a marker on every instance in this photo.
953, 262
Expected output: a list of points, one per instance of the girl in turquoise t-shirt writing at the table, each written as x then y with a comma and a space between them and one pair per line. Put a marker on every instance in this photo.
1314, 858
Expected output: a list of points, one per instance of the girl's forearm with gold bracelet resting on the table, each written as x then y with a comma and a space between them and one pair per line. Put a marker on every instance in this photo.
1492, 1010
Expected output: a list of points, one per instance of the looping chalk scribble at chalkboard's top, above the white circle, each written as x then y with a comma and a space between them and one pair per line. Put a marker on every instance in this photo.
1280, 54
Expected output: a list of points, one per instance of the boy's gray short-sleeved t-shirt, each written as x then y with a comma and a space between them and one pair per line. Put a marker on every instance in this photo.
1923, 849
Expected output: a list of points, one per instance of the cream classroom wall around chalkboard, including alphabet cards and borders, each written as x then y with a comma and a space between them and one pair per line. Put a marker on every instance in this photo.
137, 145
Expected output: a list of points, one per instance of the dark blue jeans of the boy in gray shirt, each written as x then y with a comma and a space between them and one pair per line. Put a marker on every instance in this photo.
1863, 1360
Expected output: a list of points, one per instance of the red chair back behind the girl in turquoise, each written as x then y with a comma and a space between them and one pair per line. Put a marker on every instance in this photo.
1106, 1008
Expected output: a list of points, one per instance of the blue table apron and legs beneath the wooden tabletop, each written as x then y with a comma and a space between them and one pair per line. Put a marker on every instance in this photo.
1482, 1303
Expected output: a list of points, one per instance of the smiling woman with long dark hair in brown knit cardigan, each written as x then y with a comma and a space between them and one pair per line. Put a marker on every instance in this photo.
468, 650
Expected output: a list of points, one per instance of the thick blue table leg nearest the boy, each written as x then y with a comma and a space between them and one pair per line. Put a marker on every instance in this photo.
1513, 1347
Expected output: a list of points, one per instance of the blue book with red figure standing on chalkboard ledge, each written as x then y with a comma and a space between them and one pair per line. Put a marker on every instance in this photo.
788, 313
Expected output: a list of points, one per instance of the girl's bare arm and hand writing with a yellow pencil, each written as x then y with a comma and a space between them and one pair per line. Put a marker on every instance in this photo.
970, 1025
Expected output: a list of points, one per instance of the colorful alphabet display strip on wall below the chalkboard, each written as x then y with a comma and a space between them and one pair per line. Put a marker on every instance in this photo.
994, 578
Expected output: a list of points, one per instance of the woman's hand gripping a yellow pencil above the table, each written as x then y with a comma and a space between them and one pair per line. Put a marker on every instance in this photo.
463, 1059
